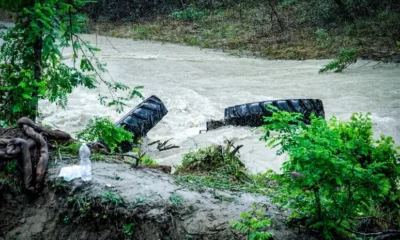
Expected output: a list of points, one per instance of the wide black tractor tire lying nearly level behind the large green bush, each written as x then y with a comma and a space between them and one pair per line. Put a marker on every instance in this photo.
251, 114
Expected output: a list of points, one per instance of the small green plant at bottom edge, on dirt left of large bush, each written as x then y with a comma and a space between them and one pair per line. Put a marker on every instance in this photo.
253, 224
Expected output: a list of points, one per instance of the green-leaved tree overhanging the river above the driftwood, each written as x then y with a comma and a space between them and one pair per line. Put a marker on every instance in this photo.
31, 66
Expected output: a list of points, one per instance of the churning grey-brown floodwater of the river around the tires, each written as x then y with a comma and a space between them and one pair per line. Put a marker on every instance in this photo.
196, 85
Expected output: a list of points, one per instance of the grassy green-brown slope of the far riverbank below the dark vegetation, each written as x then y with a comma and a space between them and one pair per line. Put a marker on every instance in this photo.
250, 32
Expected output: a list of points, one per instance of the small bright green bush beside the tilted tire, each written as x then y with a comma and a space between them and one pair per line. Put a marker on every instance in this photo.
103, 129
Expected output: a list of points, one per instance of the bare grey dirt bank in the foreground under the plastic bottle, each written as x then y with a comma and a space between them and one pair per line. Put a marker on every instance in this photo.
119, 196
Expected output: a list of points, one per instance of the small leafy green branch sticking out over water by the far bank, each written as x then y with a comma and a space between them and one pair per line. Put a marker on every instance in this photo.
346, 58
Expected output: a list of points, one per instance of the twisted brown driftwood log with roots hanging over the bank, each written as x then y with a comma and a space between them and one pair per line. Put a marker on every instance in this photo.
29, 142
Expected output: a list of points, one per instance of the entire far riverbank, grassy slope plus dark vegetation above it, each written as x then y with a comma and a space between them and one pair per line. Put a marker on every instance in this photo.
278, 29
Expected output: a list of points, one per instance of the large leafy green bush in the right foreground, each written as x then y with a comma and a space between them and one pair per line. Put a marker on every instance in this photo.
336, 171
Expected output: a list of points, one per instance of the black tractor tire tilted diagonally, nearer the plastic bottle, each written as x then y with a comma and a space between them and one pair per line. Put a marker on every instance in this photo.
142, 119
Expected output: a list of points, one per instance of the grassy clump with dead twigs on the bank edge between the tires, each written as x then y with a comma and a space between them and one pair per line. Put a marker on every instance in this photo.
219, 167
